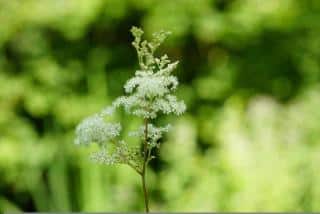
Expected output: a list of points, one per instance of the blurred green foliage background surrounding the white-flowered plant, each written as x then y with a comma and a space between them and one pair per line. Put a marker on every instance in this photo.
249, 73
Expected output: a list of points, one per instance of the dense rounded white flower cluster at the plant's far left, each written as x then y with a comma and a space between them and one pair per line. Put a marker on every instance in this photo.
95, 130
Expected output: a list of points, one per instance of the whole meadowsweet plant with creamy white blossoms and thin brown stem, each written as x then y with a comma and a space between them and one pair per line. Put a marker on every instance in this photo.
148, 94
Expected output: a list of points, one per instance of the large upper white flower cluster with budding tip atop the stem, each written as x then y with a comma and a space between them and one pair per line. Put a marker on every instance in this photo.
149, 91
